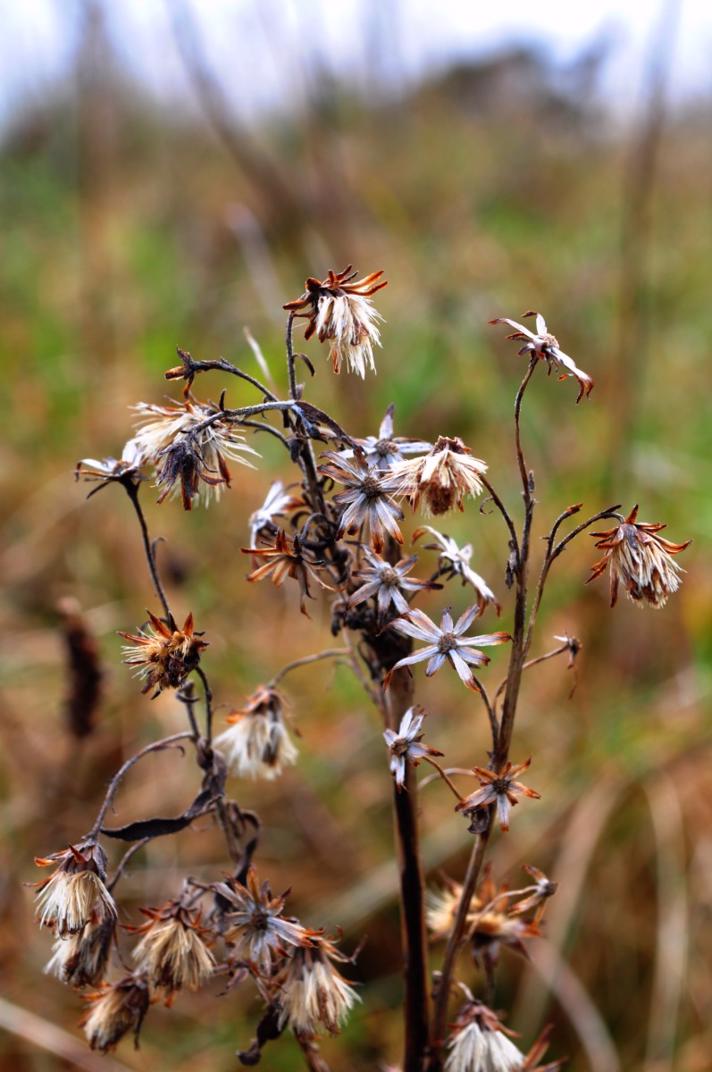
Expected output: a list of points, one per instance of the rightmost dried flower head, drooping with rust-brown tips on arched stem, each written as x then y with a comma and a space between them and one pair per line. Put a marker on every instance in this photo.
641, 559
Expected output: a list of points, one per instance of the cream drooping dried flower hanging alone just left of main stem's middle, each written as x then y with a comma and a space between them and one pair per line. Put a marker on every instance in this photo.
258, 745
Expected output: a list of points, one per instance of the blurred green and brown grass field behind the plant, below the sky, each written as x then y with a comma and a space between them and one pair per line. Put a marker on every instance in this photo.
118, 248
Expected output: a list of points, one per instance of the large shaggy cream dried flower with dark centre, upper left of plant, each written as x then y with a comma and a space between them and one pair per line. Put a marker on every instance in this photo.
189, 444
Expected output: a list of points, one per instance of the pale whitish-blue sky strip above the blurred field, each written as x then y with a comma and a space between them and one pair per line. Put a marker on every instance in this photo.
260, 48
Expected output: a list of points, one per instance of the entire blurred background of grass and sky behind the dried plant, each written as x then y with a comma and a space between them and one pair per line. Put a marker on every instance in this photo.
170, 173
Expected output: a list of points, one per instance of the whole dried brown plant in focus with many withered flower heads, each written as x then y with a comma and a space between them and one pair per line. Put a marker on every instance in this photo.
336, 533
